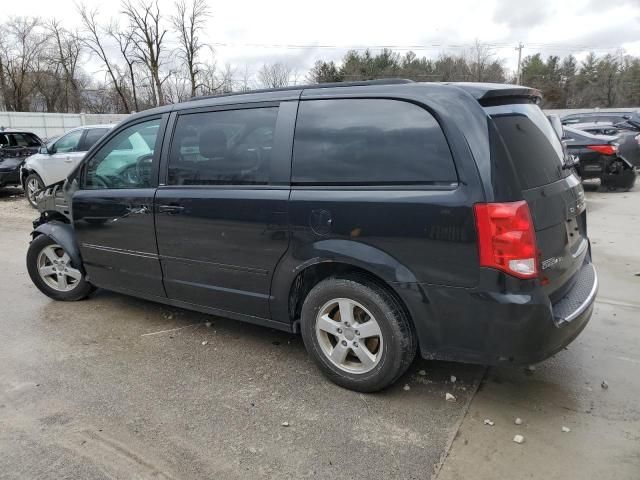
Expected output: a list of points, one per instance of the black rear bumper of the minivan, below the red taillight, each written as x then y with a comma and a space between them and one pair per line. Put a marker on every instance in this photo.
494, 327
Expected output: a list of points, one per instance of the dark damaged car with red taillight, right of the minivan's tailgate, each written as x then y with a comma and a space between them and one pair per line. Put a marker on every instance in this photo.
601, 157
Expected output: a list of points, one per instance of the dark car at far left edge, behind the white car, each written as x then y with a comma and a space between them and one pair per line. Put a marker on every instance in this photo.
15, 147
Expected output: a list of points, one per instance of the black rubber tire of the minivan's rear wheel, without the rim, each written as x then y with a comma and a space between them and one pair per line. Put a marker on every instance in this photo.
399, 341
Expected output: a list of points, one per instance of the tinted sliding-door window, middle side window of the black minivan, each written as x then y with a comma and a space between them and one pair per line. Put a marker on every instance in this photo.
223, 147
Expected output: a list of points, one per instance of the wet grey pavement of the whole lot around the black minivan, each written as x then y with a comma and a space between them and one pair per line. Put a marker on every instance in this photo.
116, 387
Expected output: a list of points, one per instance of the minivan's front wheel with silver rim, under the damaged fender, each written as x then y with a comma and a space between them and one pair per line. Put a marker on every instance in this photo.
50, 269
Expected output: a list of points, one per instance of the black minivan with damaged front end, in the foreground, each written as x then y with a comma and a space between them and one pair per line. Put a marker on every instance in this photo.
379, 219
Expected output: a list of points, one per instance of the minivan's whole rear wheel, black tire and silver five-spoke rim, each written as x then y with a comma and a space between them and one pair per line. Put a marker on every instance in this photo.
357, 333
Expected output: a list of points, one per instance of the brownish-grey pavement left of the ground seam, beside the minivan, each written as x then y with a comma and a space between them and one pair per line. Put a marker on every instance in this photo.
116, 387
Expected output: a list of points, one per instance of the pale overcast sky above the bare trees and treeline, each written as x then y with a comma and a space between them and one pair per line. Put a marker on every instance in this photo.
252, 32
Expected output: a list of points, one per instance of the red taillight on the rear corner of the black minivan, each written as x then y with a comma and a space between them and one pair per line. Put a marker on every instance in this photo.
506, 238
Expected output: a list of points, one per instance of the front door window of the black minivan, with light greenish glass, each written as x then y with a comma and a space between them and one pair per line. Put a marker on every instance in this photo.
125, 161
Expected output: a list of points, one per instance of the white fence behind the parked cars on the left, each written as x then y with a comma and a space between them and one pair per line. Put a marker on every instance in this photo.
47, 125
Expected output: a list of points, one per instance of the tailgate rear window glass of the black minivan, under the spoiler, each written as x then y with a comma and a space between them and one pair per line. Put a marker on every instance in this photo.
532, 143
